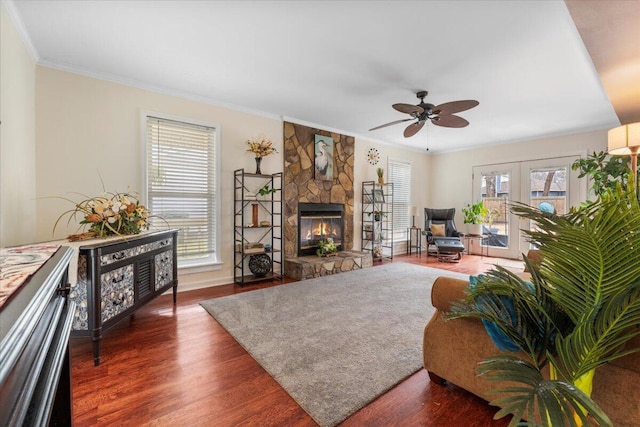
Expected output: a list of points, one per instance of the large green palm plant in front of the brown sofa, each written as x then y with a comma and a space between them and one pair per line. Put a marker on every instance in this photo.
577, 313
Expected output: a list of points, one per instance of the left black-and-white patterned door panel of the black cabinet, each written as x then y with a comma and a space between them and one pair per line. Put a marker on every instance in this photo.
116, 291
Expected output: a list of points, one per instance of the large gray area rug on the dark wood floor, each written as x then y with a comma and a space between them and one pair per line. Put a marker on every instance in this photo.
337, 342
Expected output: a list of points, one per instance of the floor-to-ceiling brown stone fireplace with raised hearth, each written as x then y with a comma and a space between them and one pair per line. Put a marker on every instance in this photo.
302, 190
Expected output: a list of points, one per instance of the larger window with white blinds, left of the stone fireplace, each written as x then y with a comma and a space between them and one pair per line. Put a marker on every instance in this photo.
182, 184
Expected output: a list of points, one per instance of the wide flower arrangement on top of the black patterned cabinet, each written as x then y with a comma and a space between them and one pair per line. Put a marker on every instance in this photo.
109, 214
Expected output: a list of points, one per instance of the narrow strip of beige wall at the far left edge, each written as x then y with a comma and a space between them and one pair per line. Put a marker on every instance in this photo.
17, 137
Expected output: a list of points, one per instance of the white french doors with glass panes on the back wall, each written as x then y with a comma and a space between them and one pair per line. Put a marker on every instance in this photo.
547, 184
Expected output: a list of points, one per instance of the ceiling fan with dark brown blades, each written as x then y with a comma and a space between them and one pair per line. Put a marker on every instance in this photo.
440, 115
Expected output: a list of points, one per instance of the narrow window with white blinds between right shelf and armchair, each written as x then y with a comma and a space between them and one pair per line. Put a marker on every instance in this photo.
400, 176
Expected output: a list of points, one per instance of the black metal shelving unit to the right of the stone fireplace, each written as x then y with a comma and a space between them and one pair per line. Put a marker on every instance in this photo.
377, 219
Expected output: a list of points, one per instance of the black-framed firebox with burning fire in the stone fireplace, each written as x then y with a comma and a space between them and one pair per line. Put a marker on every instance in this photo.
319, 221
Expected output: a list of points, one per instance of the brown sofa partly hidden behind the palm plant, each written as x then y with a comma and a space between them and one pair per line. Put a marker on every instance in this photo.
453, 348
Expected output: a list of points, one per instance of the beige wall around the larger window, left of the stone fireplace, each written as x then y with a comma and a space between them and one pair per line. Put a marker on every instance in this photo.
89, 128
